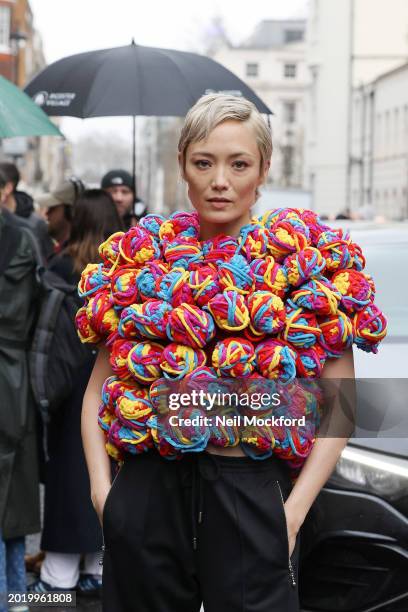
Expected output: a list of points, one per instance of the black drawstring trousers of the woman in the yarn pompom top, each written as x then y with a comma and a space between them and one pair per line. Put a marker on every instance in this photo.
208, 529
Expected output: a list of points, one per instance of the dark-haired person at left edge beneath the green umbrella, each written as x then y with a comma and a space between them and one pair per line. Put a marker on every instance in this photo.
22, 205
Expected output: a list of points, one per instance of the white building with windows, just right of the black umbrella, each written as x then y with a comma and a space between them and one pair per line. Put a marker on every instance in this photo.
272, 62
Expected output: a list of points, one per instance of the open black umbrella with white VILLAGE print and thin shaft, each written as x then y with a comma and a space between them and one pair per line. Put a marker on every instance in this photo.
132, 80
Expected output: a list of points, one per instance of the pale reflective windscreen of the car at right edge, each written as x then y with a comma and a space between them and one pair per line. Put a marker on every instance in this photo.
388, 264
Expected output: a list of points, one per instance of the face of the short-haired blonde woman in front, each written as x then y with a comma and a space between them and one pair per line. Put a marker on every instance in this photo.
223, 174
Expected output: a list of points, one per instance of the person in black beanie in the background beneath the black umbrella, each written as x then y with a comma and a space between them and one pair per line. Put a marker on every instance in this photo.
119, 184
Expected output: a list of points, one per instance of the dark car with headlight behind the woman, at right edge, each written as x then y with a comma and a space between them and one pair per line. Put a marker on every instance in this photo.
355, 540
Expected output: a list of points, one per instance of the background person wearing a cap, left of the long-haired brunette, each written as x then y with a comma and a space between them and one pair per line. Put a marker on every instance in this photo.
57, 206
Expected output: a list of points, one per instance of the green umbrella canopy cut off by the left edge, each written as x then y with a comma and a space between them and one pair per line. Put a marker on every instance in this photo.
19, 116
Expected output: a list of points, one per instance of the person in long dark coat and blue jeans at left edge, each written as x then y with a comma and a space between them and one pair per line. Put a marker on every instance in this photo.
19, 476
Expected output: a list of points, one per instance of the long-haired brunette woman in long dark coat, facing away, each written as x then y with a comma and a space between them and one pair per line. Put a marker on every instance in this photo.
71, 527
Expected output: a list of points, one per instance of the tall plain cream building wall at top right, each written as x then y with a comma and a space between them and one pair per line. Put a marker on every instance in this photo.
349, 44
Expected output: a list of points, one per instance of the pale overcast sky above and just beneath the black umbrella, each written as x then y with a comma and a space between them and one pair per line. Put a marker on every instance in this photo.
73, 26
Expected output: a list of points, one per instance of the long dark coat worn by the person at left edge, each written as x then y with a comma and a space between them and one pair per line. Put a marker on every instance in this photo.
19, 503
